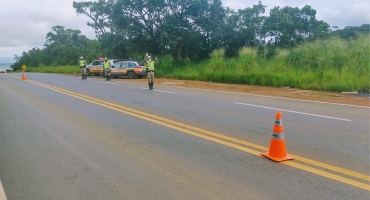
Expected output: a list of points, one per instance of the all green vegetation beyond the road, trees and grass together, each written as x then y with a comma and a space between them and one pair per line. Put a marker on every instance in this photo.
202, 40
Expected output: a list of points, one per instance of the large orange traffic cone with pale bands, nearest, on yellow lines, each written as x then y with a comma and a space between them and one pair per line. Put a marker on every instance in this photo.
277, 151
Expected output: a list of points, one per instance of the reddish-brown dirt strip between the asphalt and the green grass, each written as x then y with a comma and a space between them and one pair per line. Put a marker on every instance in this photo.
285, 92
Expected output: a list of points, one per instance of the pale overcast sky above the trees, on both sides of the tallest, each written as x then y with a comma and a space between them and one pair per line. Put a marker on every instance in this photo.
25, 23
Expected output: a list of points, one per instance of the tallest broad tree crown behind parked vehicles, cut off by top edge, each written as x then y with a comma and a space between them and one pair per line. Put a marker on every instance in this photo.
151, 25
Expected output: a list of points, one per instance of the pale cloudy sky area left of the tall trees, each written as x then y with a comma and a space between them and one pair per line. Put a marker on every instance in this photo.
25, 23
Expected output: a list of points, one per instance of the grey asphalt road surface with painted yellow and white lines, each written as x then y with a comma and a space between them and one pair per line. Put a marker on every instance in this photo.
66, 138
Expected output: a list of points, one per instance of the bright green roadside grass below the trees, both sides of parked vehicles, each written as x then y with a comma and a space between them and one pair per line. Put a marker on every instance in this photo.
328, 65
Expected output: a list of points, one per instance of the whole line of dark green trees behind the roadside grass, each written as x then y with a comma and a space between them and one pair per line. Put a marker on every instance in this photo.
189, 29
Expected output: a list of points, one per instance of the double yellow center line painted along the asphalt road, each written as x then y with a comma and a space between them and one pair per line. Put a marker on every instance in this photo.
218, 138
